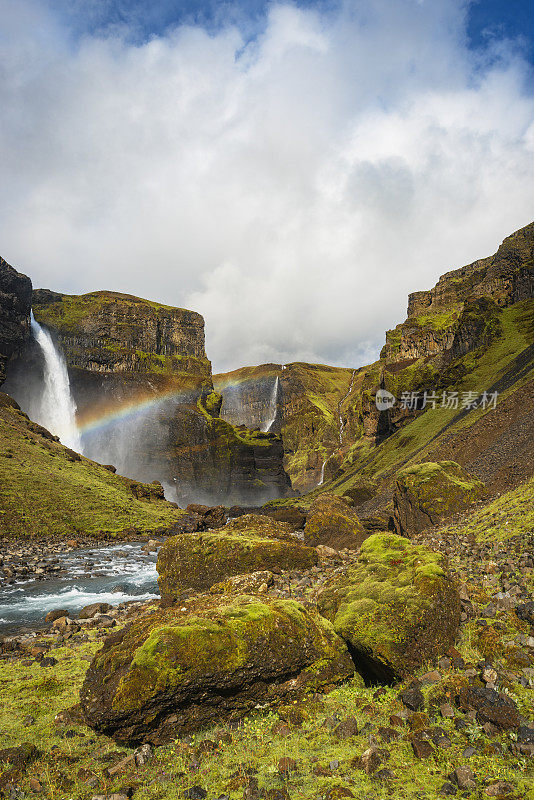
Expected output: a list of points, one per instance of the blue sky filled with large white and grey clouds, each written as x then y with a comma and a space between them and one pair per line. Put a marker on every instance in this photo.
289, 170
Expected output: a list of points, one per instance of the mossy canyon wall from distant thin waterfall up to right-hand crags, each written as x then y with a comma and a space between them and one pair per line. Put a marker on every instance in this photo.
328, 416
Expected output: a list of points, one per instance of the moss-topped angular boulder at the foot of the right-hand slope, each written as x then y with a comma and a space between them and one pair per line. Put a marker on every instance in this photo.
426, 494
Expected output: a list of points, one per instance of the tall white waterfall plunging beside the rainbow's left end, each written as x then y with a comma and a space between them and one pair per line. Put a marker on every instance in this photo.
57, 409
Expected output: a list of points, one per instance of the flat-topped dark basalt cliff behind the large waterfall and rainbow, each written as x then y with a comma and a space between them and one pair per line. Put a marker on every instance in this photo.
140, 378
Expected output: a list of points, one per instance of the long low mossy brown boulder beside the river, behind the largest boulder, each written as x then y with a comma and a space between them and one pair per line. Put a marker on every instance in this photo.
199, 560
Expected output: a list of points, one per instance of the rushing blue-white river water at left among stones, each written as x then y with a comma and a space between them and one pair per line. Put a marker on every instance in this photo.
111, 575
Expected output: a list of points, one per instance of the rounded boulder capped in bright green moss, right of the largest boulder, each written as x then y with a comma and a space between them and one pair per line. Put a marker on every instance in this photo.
397, 607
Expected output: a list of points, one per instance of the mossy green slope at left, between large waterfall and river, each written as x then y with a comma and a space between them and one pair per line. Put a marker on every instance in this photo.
44, 492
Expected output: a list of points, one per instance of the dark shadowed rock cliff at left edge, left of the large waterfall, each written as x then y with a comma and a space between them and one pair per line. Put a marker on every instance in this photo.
15, 307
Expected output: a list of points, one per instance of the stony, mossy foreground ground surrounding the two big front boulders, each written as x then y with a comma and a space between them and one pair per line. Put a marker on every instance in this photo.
459, 725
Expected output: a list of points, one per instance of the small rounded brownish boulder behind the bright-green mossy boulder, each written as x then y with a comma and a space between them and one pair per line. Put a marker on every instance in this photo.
332, 522
